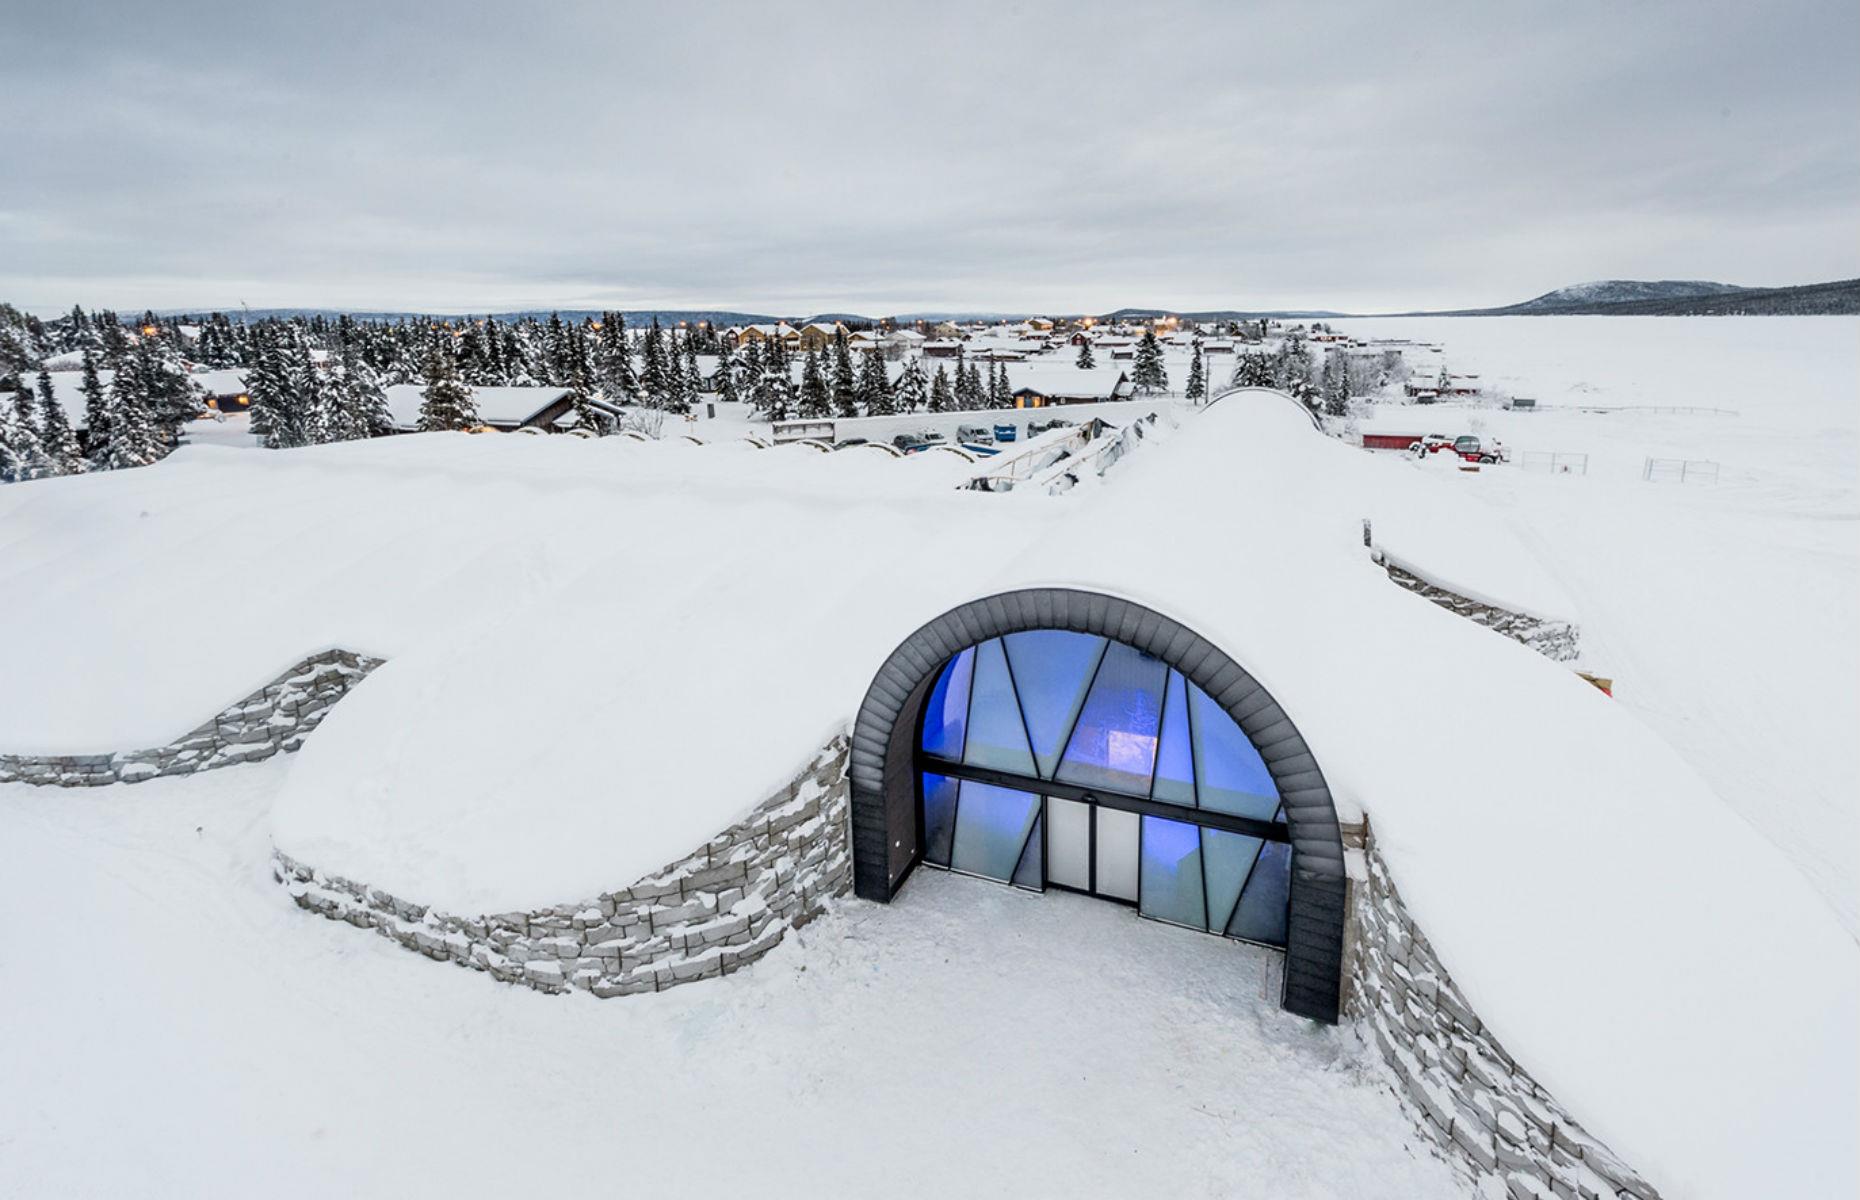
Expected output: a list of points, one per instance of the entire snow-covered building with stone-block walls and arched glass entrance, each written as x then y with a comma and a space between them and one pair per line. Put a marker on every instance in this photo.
1189, 689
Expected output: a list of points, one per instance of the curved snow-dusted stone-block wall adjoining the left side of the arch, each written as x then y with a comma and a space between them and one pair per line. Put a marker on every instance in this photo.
711, 913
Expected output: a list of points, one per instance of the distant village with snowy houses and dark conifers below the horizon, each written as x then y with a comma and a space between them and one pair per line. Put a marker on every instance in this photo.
92, 392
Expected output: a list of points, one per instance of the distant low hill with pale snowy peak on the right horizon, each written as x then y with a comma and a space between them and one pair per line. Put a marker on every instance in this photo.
1682, 299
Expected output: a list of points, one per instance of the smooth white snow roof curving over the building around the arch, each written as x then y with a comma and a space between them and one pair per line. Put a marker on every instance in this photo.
602, 652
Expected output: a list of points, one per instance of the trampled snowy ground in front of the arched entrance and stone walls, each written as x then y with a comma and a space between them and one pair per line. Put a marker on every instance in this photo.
178, 1028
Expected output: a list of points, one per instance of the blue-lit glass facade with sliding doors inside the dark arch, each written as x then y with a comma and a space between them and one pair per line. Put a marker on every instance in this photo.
1121, 734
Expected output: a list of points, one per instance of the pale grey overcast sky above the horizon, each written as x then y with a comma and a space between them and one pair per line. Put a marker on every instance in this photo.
806, 157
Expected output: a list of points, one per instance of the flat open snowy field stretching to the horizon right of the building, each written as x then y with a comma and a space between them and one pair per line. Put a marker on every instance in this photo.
1727, 613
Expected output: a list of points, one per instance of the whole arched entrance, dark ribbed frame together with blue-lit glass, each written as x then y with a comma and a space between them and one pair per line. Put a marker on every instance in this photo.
1108, 749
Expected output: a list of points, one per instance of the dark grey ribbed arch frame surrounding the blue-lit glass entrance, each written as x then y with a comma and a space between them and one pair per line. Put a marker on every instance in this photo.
884, 743
